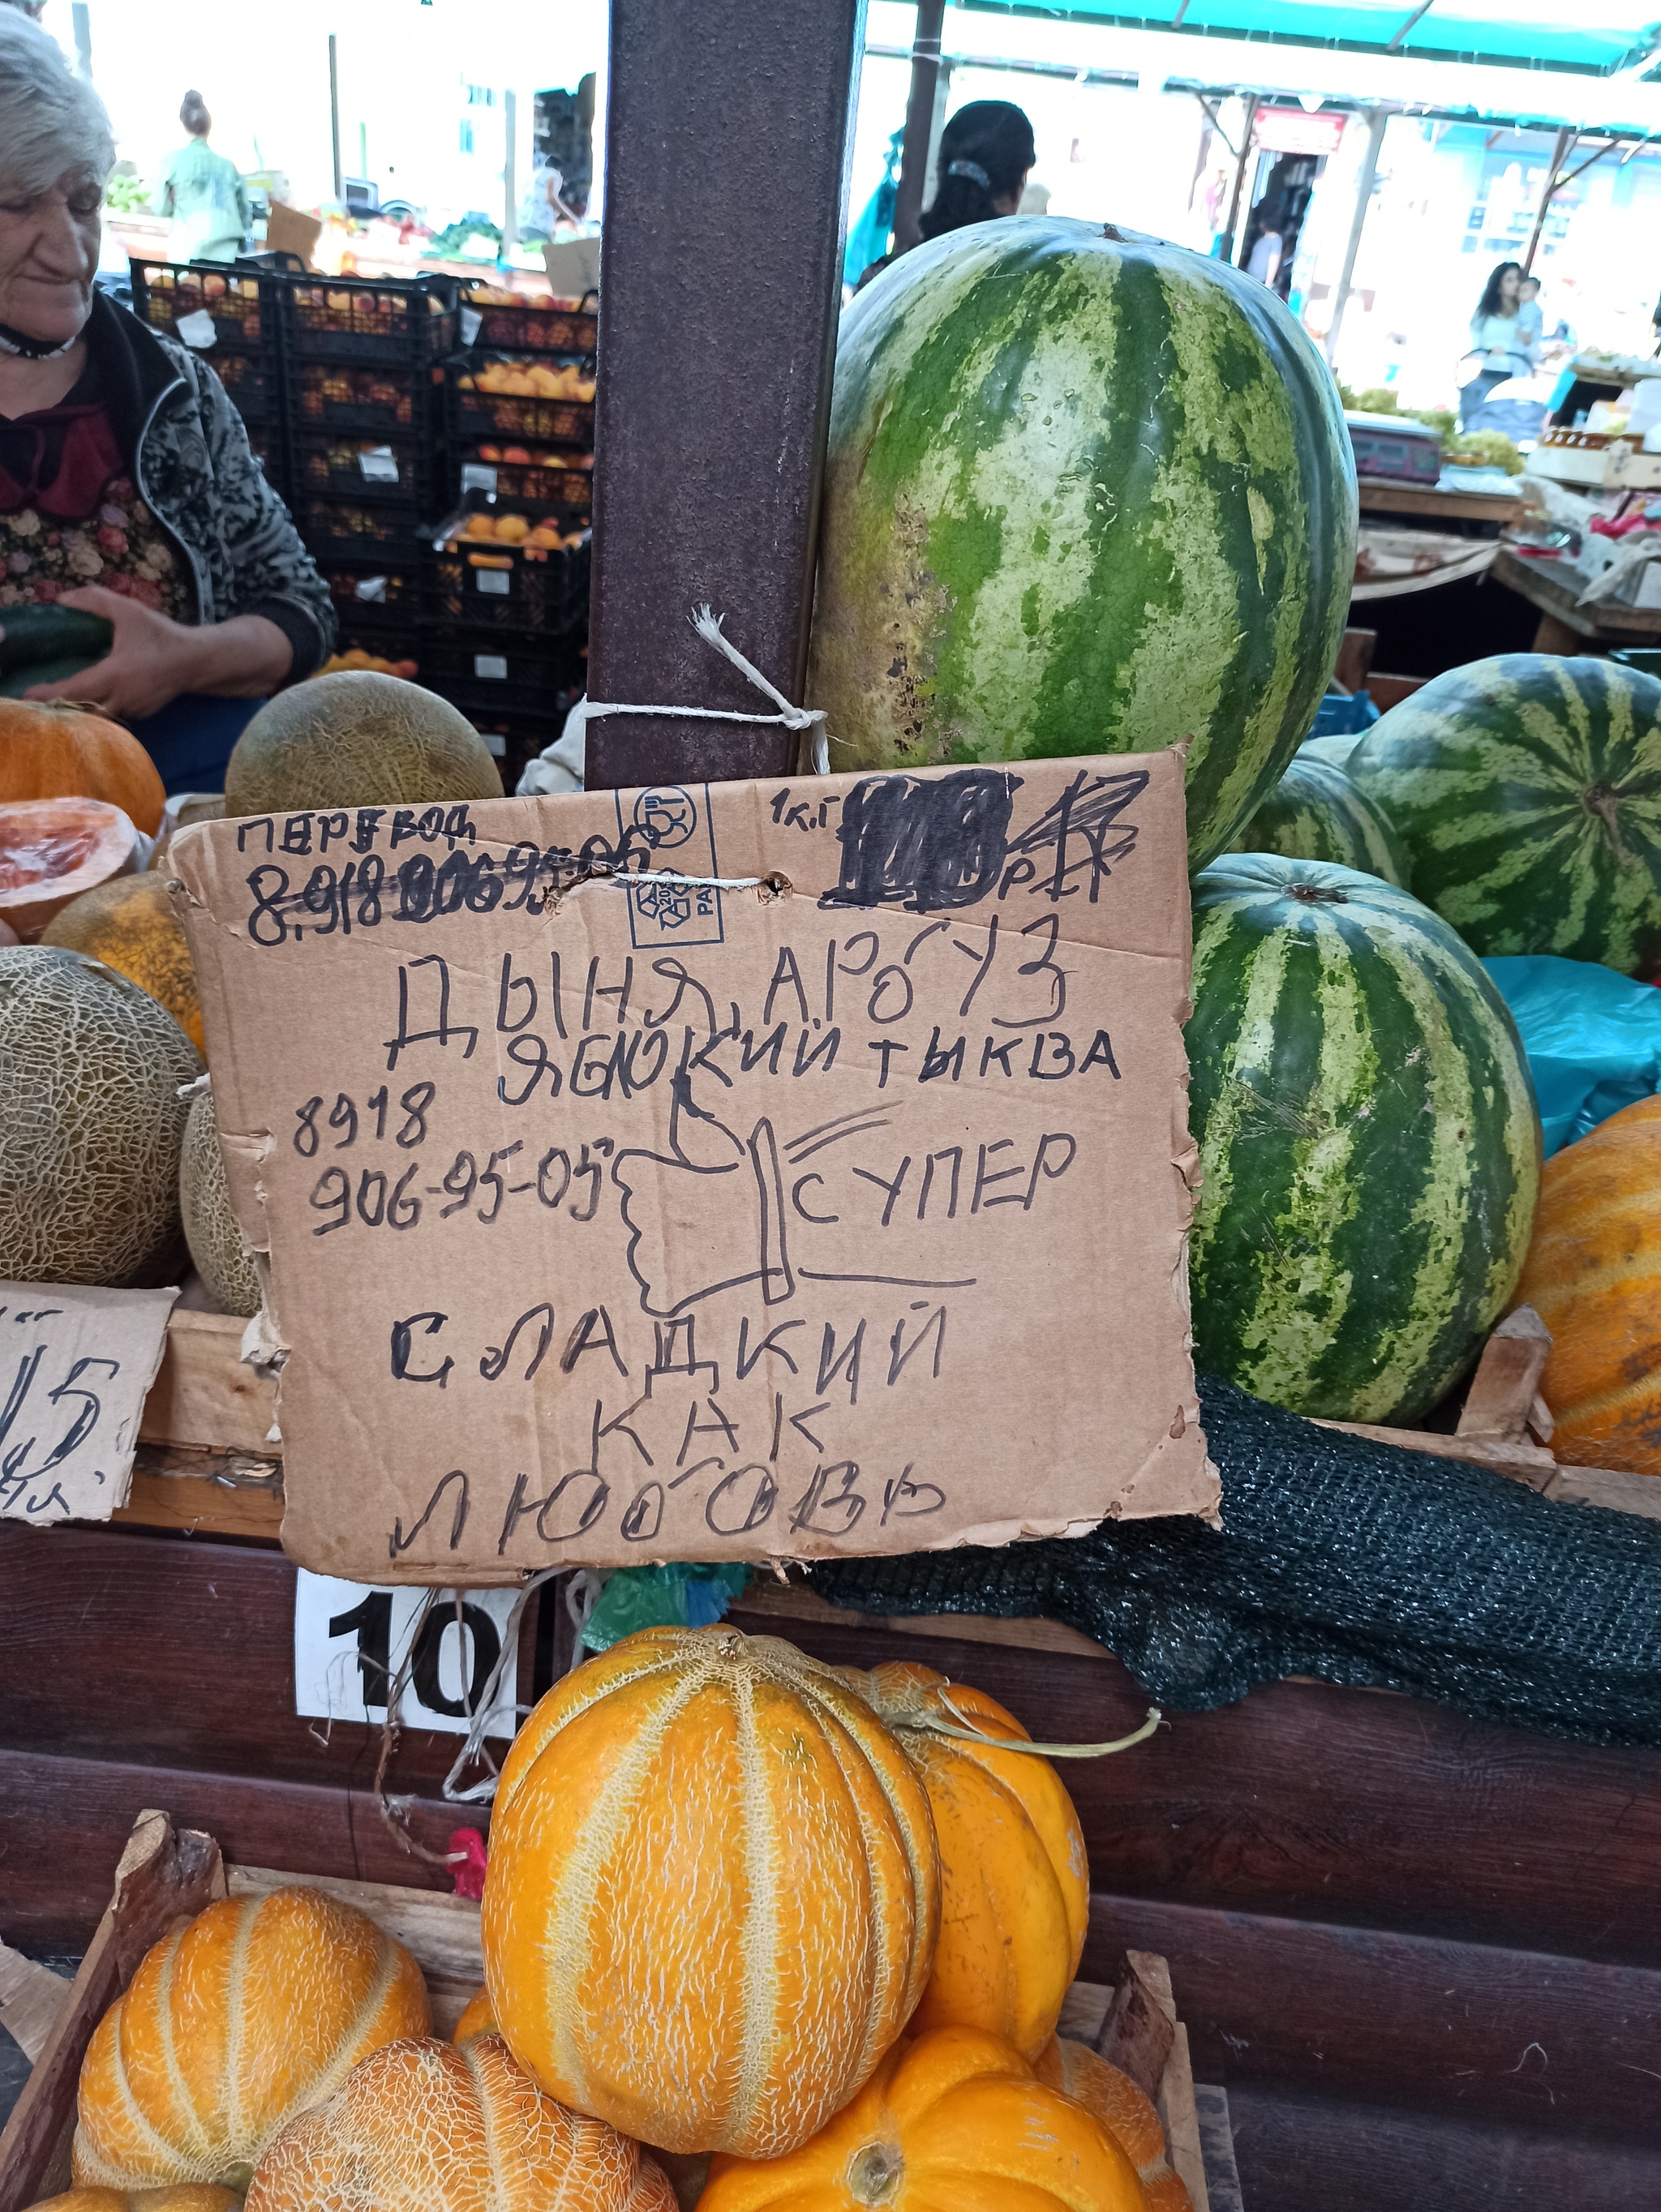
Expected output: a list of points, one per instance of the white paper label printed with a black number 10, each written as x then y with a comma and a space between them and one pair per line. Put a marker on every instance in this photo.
351, 1645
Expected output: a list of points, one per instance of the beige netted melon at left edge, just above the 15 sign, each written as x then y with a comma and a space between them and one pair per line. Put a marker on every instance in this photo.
94, 1123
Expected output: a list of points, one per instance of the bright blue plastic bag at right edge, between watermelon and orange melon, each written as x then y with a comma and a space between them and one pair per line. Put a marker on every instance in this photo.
1594, 1039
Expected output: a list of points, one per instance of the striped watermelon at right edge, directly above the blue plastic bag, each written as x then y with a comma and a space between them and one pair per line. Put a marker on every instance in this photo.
1527, 793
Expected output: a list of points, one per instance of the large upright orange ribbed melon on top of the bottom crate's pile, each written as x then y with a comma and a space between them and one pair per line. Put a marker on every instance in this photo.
713, 1892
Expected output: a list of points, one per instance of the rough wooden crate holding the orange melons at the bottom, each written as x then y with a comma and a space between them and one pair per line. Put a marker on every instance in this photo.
167, 1875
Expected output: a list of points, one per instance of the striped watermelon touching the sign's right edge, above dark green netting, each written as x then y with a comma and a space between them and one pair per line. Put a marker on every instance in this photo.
1368, 1138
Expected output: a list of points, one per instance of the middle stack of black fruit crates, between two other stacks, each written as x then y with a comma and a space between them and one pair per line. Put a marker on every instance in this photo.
364, 373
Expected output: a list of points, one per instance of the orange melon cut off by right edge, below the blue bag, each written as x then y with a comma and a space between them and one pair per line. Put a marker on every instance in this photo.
1594, 1275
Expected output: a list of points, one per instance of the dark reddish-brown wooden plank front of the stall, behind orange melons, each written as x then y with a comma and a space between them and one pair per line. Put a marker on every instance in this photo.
1423, 1954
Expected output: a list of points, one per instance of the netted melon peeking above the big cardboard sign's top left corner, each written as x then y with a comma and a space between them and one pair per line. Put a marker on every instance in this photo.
357, 740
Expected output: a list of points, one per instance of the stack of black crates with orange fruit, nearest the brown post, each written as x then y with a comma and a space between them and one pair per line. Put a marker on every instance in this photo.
510, 574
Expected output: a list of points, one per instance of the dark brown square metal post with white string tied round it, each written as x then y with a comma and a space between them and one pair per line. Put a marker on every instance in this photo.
729, 132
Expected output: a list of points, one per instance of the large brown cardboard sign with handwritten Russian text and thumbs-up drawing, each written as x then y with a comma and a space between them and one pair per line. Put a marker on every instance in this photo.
720, 1173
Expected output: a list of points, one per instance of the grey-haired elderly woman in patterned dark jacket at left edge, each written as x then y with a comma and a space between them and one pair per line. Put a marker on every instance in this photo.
127, 486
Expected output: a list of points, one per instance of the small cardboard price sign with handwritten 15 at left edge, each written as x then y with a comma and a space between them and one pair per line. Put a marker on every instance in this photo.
74, 1373
